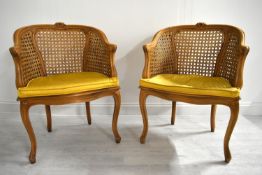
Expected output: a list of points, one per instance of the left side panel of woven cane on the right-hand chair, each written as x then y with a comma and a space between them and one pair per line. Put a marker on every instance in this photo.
163, 57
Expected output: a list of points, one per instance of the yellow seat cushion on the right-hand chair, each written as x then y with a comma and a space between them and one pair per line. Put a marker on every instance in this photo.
191, 84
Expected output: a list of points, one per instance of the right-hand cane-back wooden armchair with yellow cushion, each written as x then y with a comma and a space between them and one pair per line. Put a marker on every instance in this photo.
199, 64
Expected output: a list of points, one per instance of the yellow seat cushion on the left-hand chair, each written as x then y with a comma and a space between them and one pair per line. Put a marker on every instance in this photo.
67, 84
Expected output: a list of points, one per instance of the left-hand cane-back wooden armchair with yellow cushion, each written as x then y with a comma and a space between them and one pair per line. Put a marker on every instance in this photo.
60, 64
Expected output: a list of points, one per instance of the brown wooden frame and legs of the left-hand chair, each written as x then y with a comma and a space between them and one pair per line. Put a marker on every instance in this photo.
28, 102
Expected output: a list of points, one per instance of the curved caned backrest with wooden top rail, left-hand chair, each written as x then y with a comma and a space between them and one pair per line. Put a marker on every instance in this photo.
56, 49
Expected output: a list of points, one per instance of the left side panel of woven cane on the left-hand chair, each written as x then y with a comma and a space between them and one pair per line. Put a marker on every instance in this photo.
29, 60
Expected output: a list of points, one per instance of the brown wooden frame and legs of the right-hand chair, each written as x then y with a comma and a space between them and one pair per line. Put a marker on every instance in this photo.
232, 103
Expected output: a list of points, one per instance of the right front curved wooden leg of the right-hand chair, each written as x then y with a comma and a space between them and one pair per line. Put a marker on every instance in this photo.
234, 108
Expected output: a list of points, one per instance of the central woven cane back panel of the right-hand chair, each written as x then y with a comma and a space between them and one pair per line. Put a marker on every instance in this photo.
197, 51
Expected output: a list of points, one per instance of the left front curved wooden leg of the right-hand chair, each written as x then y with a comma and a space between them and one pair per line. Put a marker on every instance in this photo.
142, 103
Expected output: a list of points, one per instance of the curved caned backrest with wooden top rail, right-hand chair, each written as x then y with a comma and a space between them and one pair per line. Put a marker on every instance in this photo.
207, 50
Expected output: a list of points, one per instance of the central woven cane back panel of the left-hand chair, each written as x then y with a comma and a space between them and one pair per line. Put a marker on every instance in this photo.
62, 50
